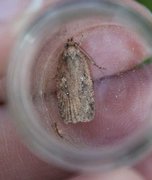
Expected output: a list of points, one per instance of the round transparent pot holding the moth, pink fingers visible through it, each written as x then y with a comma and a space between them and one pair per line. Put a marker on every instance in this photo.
120, 133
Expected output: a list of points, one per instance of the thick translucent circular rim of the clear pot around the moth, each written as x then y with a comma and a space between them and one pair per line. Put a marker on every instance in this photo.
23, 111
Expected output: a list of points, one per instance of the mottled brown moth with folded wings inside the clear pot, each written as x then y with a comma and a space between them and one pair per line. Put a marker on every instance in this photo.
75, 94
